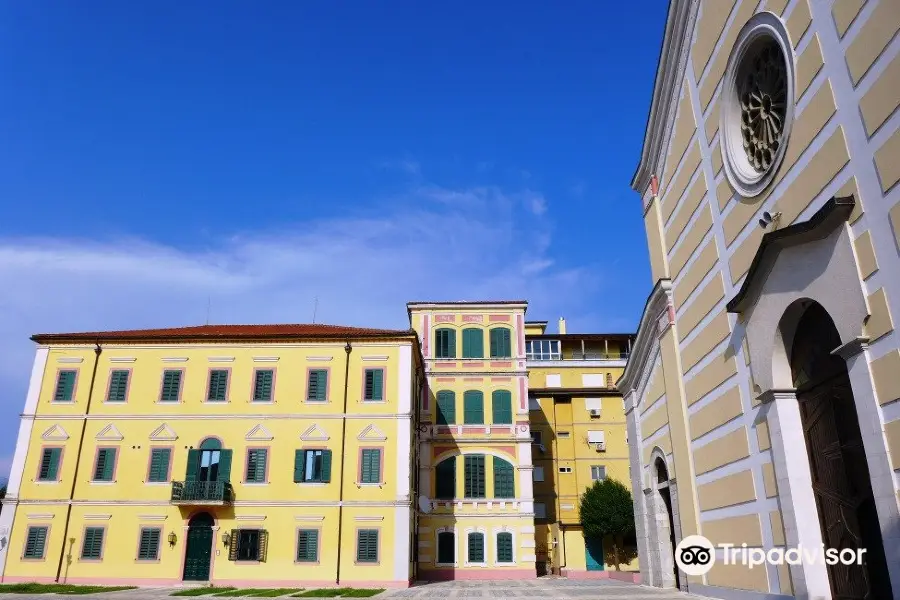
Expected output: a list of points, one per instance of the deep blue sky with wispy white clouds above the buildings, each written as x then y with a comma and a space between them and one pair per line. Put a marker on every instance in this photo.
158, 157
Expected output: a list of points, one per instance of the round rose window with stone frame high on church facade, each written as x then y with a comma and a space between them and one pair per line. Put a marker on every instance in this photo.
757, 104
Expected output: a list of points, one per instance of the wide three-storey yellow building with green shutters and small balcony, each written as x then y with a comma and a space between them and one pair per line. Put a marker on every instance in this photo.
236, 455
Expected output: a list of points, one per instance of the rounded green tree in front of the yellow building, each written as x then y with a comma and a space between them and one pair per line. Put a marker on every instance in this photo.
607, 510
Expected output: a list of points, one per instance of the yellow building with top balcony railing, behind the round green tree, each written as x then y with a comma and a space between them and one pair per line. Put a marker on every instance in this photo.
578, 437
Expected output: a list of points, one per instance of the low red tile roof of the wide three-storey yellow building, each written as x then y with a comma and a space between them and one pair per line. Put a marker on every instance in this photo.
226, 332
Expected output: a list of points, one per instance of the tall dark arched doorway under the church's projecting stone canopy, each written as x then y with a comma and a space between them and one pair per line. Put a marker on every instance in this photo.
837, 460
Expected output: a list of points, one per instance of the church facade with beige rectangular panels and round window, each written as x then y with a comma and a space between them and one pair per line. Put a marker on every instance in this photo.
762, 394
